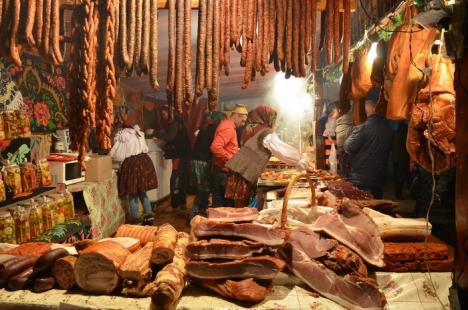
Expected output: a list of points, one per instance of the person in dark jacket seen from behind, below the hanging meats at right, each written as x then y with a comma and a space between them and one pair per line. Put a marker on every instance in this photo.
369, 146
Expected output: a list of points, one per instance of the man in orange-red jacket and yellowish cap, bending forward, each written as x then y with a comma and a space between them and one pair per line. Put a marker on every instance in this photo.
223, 147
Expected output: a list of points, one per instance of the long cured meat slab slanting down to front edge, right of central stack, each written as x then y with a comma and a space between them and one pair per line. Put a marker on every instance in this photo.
351, 290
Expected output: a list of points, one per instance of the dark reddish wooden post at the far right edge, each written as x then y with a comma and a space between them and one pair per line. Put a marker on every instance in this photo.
461, 196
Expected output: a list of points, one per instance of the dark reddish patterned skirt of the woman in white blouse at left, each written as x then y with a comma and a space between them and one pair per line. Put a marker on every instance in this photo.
137, 175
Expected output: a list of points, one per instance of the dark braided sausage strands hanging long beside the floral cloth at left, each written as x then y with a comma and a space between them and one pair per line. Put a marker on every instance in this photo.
92, 74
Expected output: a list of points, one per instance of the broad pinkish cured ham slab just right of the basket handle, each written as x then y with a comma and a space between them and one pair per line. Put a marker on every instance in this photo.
355, 229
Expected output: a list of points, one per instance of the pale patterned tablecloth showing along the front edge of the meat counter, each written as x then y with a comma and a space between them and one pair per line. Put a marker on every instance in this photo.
402, 291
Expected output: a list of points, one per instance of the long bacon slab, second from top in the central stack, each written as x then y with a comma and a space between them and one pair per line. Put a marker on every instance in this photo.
202, 227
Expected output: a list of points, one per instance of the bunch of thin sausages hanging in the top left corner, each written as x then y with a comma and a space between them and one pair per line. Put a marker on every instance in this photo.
30, 23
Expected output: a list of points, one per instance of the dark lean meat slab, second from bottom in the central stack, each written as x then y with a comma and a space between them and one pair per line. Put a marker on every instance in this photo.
258, 267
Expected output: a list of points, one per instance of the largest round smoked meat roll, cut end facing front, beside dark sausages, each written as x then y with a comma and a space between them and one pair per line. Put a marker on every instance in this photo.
96, 270
